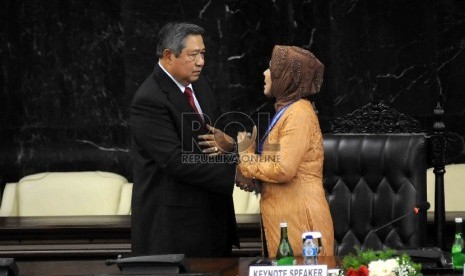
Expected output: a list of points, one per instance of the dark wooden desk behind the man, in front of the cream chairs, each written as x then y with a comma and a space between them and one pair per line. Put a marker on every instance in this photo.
92, 236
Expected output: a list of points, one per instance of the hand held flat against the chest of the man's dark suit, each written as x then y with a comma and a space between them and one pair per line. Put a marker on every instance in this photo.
216, 142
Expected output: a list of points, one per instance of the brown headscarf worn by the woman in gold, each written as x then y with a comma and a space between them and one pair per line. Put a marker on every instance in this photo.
295, 73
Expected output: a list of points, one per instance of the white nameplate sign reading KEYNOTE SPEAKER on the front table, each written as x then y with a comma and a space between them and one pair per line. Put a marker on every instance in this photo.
289, 270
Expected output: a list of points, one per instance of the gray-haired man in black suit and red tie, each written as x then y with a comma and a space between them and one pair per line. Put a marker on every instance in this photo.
182, 193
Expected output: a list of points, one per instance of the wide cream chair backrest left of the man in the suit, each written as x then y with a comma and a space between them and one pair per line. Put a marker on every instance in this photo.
70, 193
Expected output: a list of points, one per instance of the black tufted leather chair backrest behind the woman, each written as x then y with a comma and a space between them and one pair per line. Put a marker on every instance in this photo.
370, 180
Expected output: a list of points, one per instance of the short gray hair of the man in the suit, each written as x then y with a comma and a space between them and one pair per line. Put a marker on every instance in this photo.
172, 37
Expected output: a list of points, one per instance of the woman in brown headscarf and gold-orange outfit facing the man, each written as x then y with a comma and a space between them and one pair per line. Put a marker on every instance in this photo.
288, 160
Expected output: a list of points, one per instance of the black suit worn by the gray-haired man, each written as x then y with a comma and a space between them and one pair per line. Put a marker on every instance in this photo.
177, 206
